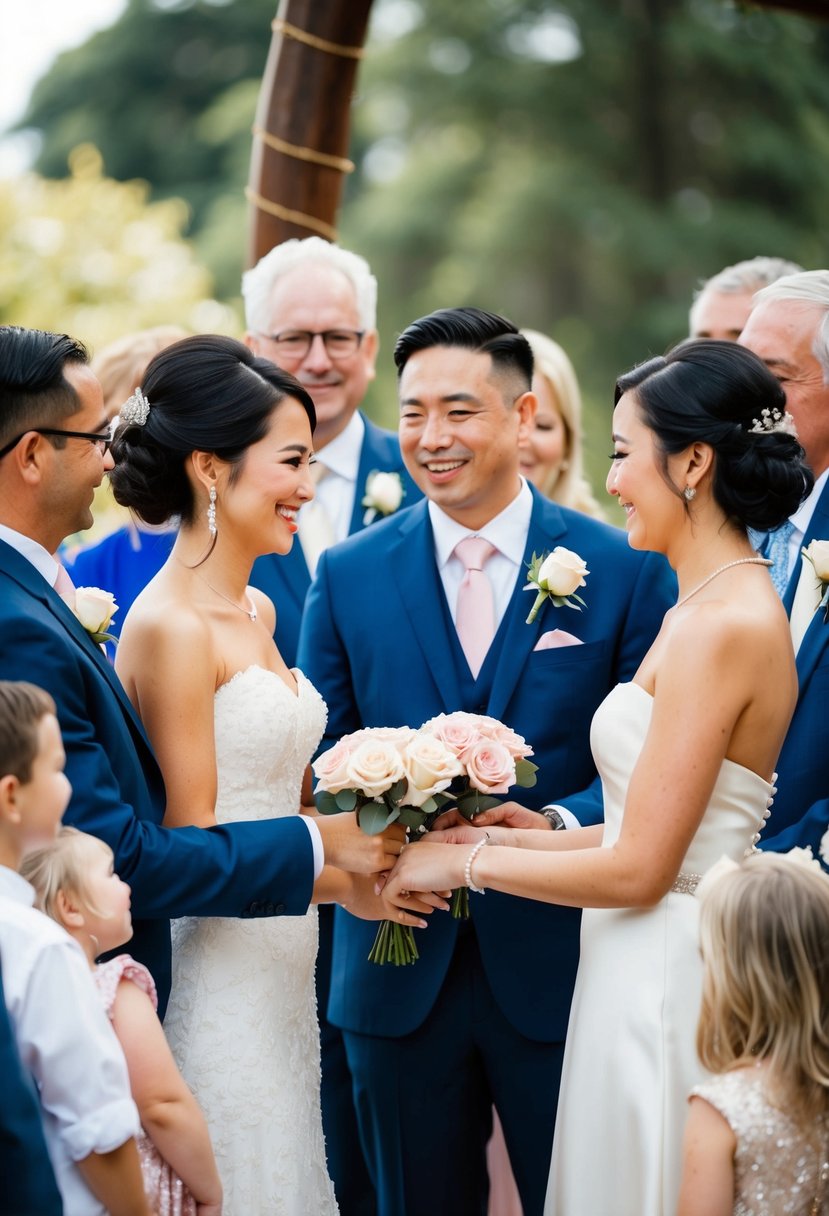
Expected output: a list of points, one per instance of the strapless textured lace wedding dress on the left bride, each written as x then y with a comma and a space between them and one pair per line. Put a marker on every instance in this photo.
243, 1018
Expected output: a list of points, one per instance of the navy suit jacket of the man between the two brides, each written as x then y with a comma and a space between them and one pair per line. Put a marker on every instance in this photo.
375, 643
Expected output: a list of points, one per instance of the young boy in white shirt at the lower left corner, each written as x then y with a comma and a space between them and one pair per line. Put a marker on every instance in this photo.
64, 1038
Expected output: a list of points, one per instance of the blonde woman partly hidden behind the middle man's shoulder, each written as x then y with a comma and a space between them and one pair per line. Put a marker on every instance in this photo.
551, 457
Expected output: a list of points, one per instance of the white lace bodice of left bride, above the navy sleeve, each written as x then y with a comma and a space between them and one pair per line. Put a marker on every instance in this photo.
264, 735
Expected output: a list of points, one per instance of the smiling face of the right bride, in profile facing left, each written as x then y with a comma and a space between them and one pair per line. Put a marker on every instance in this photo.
640, 478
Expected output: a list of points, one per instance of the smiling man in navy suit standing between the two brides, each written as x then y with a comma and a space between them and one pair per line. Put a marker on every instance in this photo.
481, 1018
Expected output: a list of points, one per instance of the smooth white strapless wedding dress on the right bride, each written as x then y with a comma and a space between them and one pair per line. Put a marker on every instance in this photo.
630, 1060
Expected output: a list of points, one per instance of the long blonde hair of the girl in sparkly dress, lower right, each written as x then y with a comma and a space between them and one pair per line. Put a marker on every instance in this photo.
765, 941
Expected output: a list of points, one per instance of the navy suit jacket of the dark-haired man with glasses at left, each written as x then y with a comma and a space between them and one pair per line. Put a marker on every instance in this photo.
240, 870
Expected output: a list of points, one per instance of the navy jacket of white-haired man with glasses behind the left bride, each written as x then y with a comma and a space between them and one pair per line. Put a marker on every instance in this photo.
286, 579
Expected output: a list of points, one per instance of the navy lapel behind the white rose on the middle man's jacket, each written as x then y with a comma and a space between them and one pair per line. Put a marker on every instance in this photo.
548, 527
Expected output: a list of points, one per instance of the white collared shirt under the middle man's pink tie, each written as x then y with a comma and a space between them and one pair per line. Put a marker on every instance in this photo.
507, 533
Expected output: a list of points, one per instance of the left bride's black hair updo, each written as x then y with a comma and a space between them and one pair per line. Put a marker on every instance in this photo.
207, 393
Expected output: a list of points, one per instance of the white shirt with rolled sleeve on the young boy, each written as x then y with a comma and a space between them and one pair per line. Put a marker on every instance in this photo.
65, 1042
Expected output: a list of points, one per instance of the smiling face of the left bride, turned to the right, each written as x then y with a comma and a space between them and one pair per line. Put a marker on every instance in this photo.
258, 500
